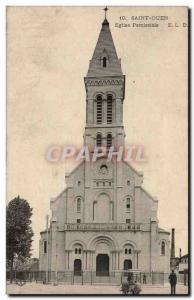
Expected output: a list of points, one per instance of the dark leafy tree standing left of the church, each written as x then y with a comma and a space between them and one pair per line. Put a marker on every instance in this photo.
18, 231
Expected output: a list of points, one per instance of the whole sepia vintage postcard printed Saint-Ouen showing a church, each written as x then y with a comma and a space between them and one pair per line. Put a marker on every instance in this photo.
97, 150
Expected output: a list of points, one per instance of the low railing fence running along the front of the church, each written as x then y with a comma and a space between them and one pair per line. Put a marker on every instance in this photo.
91, 278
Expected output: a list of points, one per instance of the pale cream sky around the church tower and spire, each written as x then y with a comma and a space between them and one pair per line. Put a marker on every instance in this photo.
48, 53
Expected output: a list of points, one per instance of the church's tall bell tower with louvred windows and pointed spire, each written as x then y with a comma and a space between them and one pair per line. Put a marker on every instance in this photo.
105, 92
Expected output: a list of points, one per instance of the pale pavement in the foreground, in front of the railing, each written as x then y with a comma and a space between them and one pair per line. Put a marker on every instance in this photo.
39, 288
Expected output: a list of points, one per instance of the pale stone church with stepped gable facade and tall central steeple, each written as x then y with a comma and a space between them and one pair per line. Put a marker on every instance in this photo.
104, 220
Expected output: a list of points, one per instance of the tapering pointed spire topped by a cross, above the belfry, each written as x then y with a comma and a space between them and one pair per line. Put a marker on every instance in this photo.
105, 61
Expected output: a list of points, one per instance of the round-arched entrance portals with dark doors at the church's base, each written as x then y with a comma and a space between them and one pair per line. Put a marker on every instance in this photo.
102, 257
